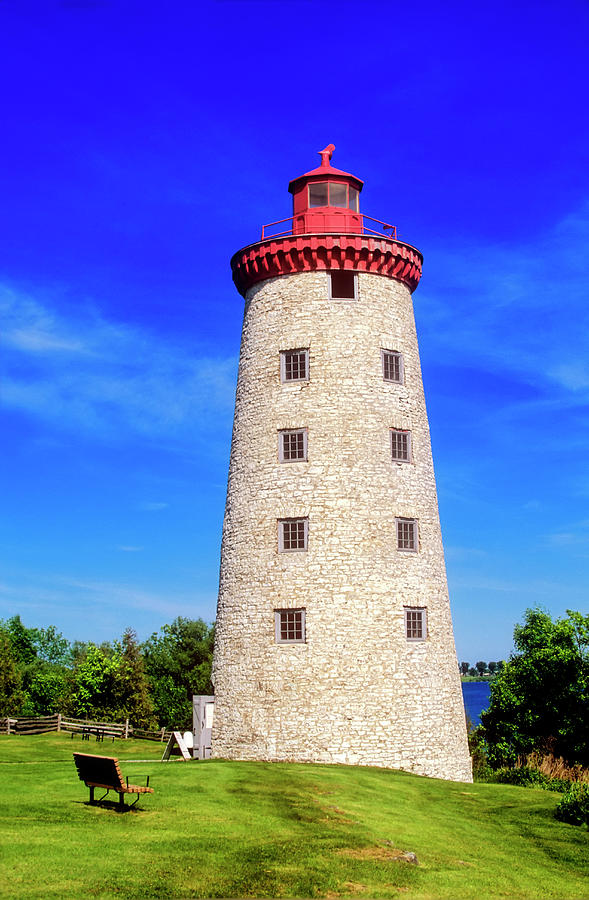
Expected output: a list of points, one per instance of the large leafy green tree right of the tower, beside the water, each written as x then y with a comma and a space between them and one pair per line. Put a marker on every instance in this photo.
540, 698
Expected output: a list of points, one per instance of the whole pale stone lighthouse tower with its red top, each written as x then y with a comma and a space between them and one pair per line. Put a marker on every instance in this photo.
334, 639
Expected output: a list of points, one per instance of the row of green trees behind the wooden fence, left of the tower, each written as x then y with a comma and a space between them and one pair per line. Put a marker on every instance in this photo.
151, 683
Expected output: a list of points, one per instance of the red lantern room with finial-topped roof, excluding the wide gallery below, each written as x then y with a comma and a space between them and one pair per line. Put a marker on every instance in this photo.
326, 199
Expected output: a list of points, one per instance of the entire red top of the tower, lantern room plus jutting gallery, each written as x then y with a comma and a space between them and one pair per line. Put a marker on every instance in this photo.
326, 232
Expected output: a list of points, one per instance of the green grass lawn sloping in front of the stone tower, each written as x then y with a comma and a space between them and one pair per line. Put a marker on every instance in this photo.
231, 829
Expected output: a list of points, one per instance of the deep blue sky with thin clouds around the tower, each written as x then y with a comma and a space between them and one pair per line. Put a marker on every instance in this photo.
141, 146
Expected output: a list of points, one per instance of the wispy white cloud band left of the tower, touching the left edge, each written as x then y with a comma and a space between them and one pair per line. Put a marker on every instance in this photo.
112, 380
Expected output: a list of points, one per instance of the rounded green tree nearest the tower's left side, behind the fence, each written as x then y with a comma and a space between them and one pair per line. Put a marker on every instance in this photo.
178, 663
